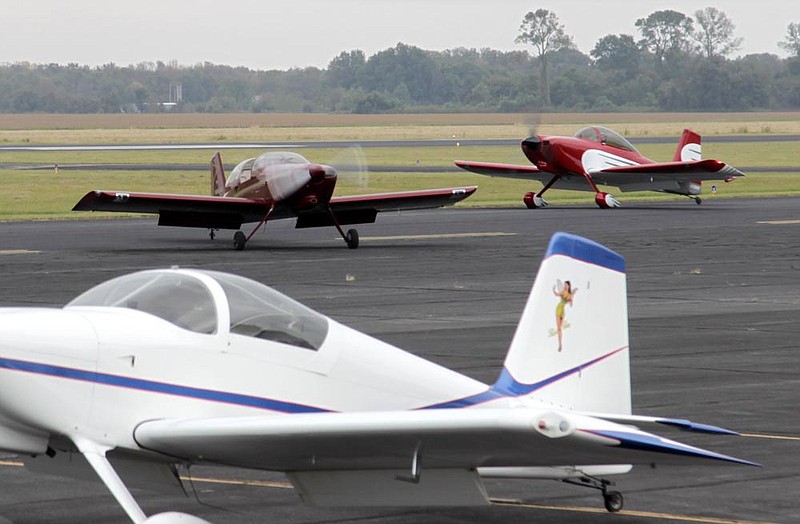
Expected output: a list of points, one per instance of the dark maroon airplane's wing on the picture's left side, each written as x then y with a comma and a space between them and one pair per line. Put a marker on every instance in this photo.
179, 210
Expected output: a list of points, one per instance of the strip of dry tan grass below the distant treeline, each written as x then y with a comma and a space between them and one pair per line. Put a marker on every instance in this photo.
183, 128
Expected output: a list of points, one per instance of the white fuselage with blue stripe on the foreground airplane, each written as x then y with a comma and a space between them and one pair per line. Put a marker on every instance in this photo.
98, 372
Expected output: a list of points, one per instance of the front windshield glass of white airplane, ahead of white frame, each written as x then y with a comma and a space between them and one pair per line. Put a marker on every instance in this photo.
180, 299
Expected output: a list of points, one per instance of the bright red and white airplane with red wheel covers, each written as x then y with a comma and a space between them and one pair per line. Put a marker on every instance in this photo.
598, 156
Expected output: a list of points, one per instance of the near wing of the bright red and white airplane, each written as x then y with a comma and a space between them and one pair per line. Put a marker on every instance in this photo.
665, 173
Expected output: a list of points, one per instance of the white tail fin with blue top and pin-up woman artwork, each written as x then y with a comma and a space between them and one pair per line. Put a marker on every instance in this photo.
571, 345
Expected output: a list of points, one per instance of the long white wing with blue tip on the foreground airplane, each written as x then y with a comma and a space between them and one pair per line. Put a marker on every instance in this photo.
444, 439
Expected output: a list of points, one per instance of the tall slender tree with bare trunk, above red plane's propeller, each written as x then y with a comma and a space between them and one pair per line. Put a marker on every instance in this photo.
546, 34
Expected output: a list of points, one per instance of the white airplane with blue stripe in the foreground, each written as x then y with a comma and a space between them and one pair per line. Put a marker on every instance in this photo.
166, 368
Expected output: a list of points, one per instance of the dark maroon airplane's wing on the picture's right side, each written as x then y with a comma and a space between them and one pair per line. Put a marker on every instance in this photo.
360, 209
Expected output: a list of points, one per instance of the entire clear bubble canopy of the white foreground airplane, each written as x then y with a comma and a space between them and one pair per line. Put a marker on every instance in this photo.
211, 302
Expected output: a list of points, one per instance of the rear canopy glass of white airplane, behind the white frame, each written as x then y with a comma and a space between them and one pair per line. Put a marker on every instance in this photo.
261, 312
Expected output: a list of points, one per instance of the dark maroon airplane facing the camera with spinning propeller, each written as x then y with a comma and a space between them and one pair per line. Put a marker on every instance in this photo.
271, 186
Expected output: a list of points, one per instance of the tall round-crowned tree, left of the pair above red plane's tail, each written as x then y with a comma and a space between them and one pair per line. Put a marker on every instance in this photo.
665, 32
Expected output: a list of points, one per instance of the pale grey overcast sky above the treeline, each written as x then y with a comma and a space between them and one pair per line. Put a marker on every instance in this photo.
280, 34
